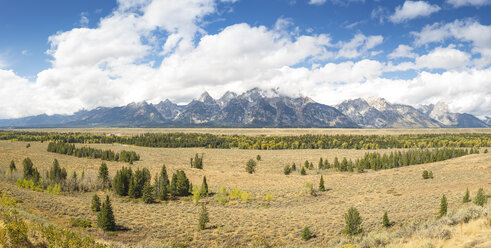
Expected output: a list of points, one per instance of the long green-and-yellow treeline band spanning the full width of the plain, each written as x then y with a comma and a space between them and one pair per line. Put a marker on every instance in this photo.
176, 140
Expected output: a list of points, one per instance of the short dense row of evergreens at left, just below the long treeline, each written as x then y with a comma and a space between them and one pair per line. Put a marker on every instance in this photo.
70, 149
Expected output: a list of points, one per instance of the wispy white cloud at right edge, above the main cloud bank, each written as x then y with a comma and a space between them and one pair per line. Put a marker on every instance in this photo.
464, 31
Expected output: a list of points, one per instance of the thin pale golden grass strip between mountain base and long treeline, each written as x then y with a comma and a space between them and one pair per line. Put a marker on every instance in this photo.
264, 131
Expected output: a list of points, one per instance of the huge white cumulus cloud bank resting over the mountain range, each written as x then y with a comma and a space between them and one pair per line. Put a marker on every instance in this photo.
122, 59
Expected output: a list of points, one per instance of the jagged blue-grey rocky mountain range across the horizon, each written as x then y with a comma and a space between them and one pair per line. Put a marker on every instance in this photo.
259, 108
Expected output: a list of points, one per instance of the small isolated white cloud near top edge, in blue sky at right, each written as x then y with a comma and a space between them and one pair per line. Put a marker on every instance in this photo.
413, 9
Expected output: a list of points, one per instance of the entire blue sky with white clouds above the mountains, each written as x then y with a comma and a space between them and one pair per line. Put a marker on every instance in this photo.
58, 56
